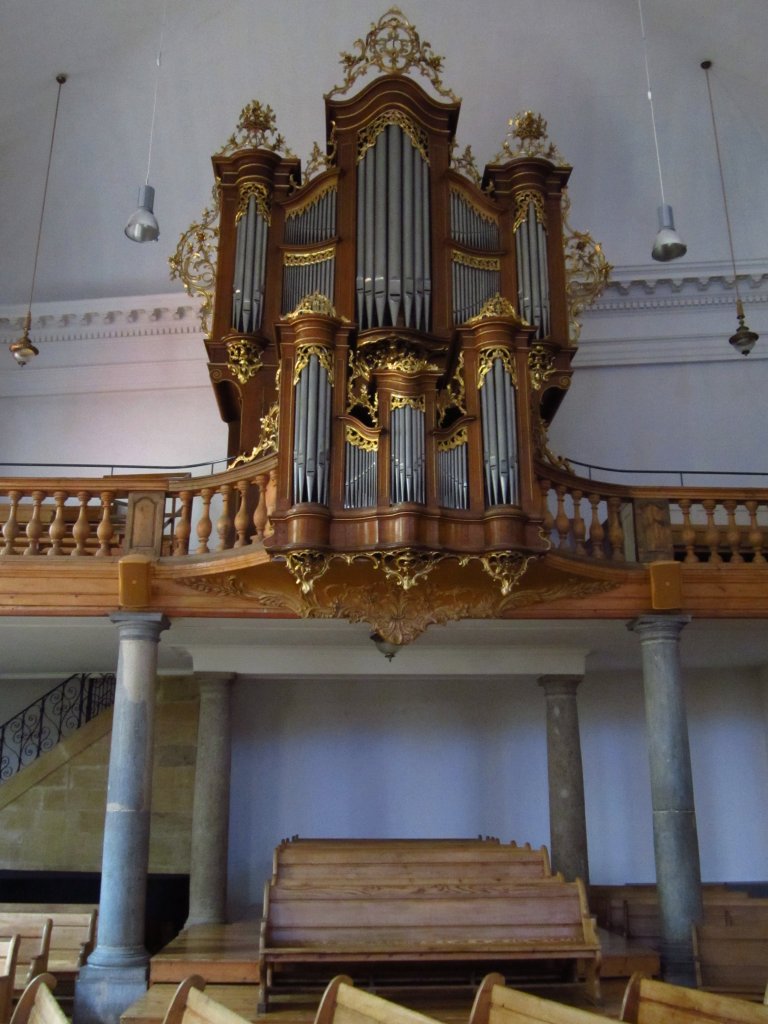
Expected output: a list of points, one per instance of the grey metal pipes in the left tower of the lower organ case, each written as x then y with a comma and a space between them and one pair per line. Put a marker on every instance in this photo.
312, 434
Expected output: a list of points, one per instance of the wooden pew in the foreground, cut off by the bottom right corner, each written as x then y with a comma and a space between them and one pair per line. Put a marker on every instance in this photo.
650, 1002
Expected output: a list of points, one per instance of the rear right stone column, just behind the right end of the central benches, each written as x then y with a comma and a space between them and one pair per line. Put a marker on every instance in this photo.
568, 819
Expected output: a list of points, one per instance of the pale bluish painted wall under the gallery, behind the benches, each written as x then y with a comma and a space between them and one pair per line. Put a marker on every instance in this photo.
439, 758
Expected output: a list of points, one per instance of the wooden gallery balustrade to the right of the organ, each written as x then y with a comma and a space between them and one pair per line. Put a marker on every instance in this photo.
613, 523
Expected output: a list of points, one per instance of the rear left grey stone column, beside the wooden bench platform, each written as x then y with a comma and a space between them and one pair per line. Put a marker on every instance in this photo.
211, 805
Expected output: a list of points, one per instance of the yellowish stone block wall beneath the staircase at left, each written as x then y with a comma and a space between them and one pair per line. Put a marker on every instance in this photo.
53, 814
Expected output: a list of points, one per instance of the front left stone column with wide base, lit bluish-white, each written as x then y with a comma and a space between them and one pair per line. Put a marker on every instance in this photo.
116, 973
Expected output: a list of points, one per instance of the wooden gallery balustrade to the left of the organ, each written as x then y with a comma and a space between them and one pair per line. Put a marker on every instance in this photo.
94, 518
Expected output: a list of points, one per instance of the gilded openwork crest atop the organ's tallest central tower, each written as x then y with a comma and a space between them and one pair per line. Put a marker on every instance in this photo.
395, 48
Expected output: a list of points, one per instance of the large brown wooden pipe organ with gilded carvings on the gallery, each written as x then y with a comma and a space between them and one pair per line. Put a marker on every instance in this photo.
397, 320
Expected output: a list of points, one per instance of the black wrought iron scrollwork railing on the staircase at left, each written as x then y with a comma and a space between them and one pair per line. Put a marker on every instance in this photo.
58, 714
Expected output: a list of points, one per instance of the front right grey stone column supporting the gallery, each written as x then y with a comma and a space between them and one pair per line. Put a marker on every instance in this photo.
675, 837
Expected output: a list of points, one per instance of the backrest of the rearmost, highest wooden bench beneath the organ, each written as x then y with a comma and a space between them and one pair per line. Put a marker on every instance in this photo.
386, 862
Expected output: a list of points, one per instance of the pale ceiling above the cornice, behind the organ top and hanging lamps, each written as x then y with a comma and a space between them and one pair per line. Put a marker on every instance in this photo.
580, 63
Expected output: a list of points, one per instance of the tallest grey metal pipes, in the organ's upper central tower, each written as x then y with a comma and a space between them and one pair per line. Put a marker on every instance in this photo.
394, 278
